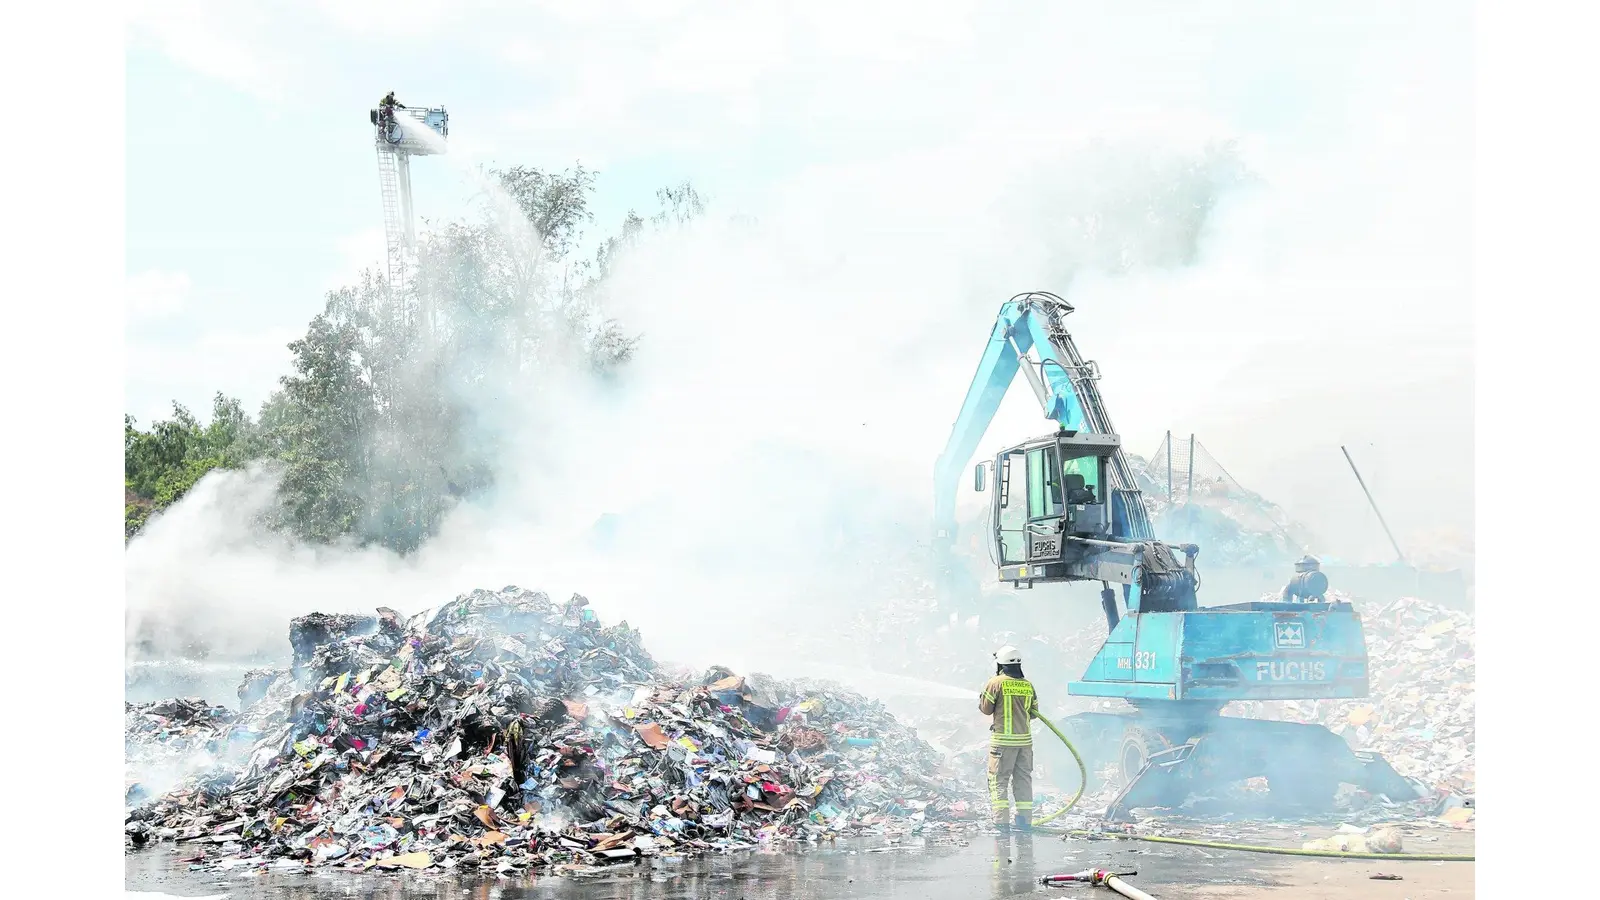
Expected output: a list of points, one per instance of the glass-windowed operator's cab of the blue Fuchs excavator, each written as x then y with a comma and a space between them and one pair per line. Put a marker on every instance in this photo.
1046, 492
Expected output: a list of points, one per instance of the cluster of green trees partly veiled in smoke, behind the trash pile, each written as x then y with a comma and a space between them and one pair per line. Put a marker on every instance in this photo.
380, 428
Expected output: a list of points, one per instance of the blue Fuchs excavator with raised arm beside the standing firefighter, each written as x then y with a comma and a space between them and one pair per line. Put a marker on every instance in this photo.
1066, 508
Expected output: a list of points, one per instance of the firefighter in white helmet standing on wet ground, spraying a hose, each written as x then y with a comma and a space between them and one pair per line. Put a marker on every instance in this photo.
1010, 701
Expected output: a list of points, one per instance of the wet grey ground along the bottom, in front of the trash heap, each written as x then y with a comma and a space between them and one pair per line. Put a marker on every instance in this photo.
985, 867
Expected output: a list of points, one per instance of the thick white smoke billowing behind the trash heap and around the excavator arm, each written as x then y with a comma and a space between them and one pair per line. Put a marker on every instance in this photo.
766, 459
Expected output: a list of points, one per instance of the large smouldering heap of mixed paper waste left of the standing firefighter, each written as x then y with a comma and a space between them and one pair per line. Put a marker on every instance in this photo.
506, 733
